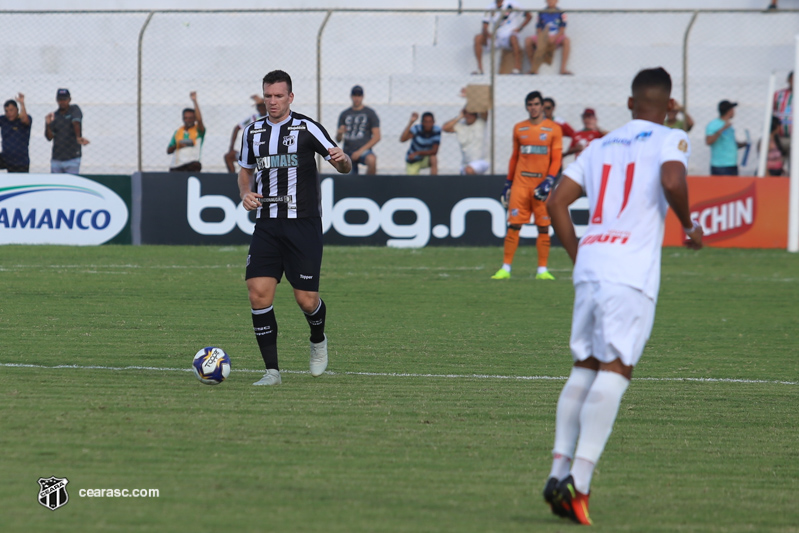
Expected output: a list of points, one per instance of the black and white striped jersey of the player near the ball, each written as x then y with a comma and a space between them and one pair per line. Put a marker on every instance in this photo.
284, 156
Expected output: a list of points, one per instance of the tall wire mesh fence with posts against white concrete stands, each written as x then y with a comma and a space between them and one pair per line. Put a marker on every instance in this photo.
131, 73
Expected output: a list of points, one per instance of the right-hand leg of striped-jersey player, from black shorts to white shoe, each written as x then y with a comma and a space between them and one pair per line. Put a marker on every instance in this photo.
303, 268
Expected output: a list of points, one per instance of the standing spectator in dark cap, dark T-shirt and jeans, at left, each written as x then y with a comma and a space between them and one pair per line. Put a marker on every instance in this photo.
64, 127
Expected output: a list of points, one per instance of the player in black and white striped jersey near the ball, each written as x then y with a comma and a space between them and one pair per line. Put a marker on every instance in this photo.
278, 179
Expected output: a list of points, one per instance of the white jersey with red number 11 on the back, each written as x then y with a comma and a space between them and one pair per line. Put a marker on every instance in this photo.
620, 174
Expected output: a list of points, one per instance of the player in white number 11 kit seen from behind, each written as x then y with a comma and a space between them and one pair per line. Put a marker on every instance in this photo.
631, 177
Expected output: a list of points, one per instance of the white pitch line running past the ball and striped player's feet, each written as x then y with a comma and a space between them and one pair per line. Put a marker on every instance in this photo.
391, 374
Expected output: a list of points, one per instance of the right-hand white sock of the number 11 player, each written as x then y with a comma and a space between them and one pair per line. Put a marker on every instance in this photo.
596, 423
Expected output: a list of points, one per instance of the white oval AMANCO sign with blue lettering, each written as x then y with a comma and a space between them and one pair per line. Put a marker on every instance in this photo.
59, 209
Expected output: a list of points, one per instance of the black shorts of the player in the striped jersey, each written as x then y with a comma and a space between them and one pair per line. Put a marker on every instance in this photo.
290, 245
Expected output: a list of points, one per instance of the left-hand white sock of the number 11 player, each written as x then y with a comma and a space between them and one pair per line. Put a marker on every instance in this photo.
567, 420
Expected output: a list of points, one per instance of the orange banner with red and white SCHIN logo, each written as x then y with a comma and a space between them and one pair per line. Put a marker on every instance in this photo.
736, 212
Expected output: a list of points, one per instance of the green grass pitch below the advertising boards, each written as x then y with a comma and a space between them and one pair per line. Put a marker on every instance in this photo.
436, 415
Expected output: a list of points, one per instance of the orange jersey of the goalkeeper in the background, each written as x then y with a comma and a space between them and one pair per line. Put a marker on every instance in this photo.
537, 151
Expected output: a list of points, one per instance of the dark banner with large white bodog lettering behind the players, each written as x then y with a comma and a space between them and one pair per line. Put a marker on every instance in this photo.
399, 211
